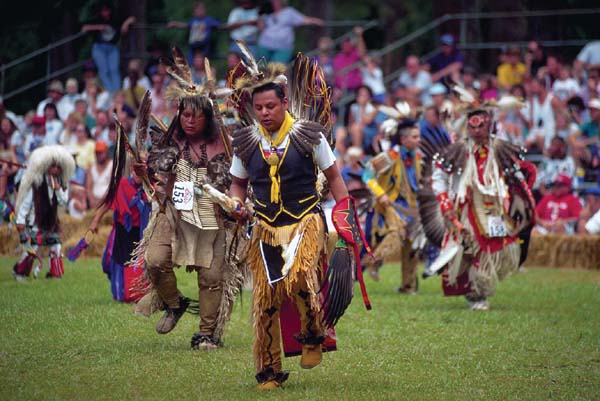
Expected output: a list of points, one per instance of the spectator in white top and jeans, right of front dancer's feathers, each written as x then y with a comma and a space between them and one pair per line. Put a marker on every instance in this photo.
361, 125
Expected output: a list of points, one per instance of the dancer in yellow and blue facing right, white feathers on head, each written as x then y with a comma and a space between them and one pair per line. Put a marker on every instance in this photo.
393, 177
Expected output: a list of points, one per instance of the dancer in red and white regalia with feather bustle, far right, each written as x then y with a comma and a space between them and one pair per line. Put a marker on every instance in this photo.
478, 202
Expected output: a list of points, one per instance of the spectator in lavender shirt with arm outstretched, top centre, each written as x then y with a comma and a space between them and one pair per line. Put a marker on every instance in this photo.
276, 39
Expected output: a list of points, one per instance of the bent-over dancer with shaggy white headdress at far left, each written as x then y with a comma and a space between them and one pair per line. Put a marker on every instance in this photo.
43, 188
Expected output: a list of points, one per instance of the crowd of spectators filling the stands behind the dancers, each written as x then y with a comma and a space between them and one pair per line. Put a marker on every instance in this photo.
558, 123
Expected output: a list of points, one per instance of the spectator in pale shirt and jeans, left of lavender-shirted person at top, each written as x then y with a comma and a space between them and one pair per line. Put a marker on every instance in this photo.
242, 21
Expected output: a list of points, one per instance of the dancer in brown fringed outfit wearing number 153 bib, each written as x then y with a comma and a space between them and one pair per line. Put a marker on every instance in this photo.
187, 228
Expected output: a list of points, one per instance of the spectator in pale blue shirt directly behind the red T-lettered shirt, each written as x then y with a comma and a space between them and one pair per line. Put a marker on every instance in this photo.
556, 161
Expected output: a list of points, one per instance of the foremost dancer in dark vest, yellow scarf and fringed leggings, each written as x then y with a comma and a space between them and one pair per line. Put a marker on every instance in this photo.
279, 152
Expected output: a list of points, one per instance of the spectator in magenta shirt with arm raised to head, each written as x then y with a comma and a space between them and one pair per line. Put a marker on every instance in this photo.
351, 52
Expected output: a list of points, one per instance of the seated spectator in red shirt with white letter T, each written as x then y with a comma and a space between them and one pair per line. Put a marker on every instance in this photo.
559, 210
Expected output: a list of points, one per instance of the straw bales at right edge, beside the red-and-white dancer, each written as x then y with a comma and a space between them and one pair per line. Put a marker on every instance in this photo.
564, 251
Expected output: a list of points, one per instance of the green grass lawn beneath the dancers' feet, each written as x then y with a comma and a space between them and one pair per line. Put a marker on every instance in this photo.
67, 340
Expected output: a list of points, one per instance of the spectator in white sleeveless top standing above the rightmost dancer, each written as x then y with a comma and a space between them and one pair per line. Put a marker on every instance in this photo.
539, 114
